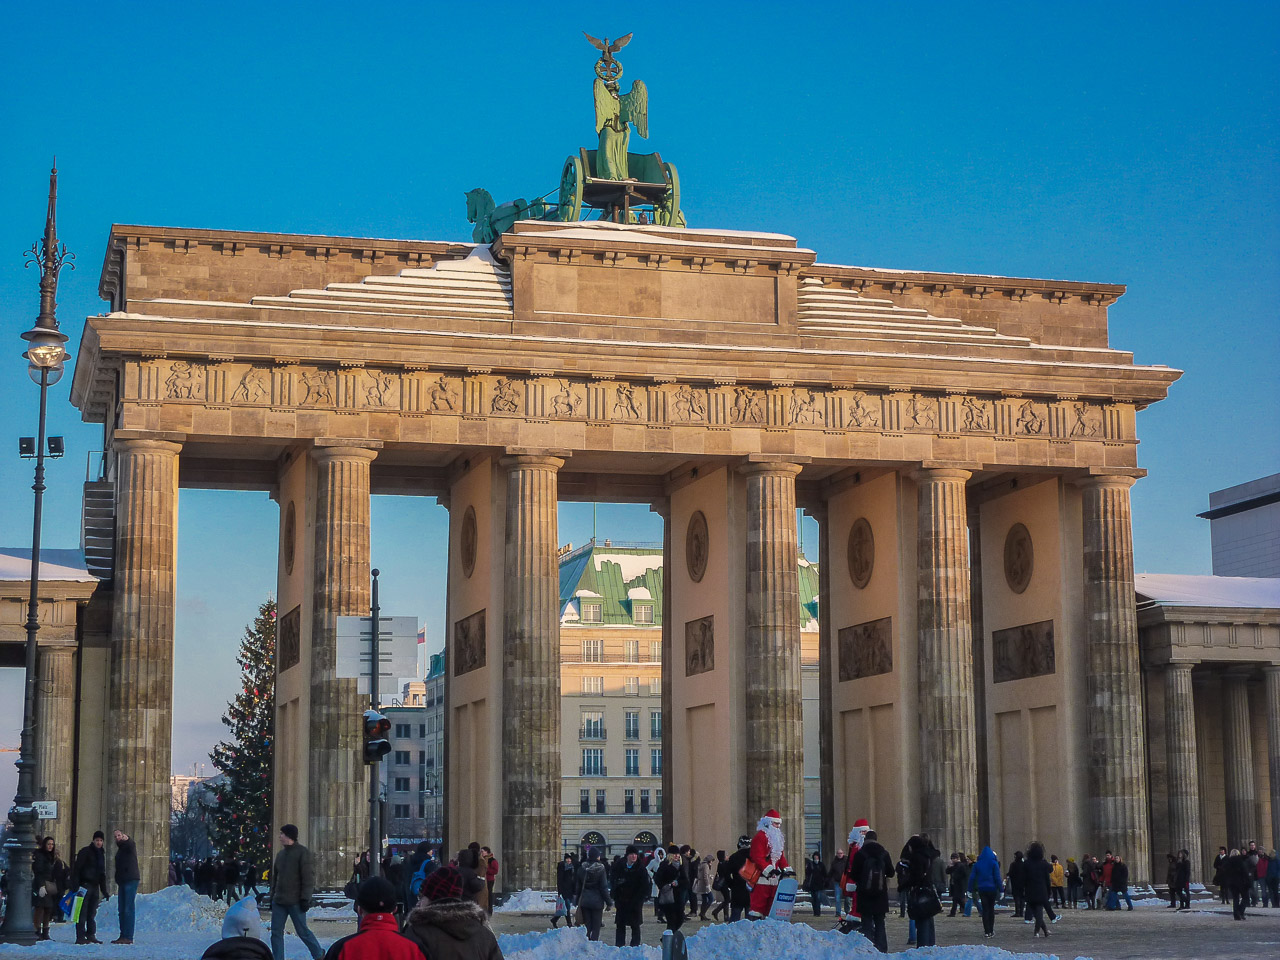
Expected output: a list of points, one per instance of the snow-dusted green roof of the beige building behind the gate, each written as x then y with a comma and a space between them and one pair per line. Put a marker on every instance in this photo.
619, 575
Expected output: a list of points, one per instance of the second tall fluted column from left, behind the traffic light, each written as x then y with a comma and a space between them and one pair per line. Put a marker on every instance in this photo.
337, 792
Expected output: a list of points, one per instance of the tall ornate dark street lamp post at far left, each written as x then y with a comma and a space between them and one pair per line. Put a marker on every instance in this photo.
45, 359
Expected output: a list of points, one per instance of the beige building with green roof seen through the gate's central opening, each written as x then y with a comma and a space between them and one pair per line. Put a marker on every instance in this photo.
611, 597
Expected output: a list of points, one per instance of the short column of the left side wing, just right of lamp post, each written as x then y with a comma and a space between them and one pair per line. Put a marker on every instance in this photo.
56, 734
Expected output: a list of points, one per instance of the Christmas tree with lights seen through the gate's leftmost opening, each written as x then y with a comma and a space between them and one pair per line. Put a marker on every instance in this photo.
243, 816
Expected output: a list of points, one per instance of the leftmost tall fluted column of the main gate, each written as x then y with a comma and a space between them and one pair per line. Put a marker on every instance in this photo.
140, 747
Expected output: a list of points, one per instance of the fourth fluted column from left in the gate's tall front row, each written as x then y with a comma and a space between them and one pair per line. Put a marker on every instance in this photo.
775, 737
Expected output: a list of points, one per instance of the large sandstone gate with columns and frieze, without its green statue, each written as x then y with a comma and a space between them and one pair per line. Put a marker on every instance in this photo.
966, 444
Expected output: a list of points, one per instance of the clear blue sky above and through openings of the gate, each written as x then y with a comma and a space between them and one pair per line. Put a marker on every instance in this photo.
1133, 144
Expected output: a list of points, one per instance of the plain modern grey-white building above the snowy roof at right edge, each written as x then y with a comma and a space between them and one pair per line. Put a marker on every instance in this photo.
1245, 528
